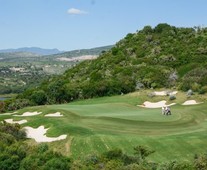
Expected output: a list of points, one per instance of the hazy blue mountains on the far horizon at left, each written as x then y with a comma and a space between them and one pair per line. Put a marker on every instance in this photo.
35, 50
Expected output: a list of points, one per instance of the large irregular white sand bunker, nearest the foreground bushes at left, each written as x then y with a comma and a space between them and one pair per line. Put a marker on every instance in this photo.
39, 134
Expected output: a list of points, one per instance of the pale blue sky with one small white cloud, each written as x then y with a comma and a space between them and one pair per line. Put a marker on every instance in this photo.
77, 24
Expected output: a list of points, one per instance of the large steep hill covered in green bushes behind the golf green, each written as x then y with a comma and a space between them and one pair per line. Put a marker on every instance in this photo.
163, 56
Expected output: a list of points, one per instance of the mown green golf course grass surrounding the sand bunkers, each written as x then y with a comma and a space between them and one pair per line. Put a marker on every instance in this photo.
100, 124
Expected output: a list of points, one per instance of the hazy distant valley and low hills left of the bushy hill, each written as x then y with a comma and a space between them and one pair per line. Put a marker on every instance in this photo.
20, 70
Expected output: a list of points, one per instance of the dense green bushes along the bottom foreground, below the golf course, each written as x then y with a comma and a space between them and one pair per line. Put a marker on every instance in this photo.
17, 154
